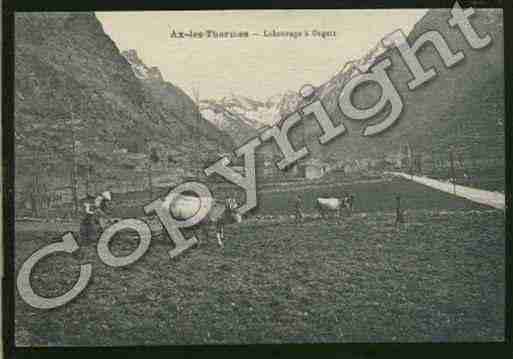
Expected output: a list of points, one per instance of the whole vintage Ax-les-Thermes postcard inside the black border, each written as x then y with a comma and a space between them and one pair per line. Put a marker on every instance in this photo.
259, 176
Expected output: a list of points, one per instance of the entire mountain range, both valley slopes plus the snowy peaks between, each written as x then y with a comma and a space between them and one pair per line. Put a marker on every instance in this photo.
80, 101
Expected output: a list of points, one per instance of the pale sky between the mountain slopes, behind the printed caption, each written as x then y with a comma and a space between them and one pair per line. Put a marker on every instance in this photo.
257, 67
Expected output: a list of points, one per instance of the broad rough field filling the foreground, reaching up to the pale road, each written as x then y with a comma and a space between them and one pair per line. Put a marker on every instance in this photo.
440, 277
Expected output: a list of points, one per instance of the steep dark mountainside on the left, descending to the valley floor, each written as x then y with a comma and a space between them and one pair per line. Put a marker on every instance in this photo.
80, 102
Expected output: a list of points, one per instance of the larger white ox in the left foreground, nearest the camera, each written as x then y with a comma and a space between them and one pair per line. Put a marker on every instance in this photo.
183, 207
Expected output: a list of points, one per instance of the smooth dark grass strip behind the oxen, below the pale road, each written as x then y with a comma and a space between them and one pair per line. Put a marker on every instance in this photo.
370, 196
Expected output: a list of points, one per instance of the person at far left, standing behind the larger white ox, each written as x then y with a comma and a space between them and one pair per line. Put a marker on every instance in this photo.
95, 215
